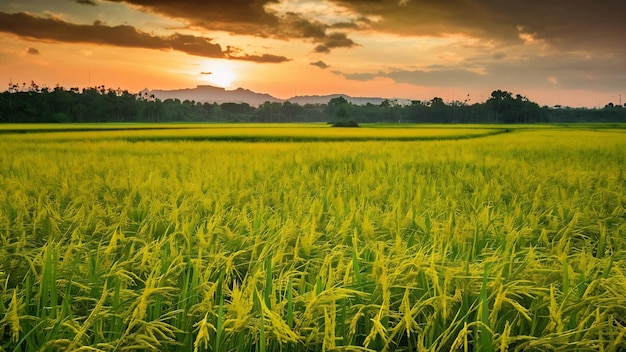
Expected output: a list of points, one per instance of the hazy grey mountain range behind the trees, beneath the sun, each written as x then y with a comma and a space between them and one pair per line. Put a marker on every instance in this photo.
211, 94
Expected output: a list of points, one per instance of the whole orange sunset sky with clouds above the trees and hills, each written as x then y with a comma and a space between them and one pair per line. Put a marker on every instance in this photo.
554, 52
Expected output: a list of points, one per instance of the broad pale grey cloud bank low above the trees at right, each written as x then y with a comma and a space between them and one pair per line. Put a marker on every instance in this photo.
567, 71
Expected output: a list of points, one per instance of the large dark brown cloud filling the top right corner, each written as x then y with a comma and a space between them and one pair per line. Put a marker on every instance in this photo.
563, 24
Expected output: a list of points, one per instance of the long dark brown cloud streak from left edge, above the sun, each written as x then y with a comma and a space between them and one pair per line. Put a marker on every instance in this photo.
51, 29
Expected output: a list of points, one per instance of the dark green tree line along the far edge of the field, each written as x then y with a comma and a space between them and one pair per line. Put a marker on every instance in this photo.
35, 104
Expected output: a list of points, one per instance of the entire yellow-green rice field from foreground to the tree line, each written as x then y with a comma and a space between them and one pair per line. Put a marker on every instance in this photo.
307, 238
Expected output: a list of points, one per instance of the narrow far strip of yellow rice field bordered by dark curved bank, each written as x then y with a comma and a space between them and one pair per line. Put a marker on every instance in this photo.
244, 132
